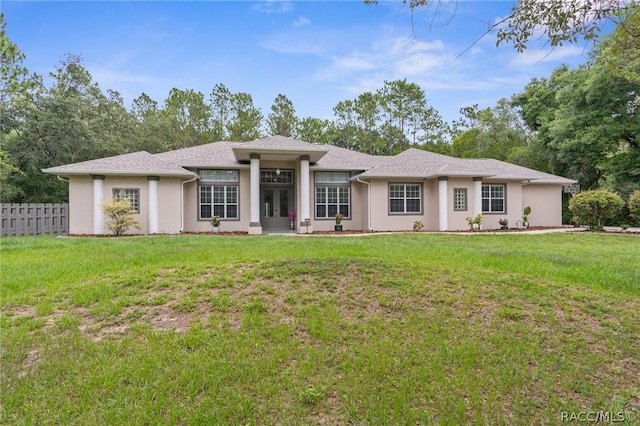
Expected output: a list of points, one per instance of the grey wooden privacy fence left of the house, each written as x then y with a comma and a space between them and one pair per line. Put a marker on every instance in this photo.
34, 219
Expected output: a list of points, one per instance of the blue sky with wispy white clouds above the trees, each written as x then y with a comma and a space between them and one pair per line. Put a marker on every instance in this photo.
317, 53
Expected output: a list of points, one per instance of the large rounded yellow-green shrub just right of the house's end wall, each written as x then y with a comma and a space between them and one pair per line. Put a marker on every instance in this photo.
594, 208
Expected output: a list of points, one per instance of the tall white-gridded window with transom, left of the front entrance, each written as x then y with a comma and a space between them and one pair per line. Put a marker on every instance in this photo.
218, 194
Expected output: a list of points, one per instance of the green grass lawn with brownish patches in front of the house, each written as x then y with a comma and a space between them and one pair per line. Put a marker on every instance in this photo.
382, 329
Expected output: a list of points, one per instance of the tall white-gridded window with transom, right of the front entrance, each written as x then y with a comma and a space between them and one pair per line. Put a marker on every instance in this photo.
332, 194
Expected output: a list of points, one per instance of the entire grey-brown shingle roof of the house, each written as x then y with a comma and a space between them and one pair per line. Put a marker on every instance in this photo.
412, 163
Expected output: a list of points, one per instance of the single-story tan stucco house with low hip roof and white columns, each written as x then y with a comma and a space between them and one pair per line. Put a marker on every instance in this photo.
279, 184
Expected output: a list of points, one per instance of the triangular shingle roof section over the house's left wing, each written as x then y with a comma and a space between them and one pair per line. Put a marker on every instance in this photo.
135, 163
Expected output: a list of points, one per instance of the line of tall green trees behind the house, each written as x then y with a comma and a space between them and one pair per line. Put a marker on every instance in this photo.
581, 123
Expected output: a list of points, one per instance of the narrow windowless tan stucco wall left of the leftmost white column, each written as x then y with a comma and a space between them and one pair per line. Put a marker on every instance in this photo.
81, 205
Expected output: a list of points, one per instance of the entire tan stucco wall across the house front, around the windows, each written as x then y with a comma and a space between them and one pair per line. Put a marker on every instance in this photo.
544, 199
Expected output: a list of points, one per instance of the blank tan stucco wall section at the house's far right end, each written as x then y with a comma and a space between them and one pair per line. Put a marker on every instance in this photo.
545, 202
